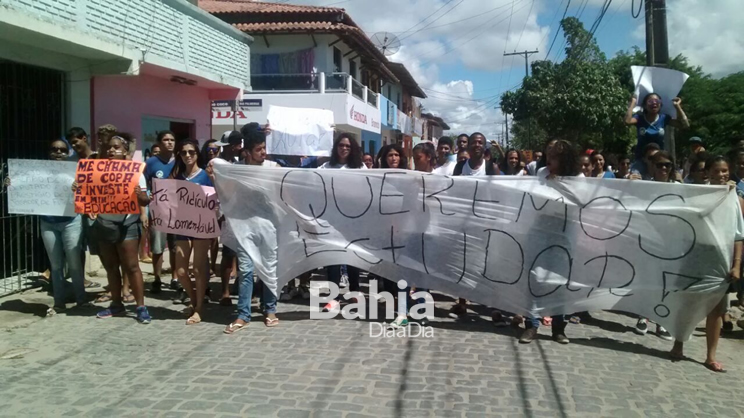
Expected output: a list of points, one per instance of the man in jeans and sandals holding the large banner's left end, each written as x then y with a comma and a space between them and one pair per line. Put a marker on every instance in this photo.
254, 153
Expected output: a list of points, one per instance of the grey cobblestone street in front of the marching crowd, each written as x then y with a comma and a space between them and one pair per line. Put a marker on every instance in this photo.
75, 365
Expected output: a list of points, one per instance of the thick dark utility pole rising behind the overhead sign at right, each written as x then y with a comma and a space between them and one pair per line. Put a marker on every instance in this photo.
657, 51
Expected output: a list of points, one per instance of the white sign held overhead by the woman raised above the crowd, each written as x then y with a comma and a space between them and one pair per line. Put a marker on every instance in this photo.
662, 81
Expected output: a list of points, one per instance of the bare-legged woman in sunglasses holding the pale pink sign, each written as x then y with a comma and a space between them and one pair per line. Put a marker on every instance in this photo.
187, 168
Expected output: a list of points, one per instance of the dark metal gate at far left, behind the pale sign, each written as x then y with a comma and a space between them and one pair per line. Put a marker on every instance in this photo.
31, 114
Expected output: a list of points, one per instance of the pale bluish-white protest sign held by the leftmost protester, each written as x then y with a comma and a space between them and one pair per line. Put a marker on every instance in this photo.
41, 187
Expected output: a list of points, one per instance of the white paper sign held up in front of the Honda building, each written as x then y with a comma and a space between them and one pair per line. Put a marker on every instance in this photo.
300, 131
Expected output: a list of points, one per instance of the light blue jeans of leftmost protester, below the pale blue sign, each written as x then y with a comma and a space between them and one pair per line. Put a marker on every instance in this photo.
64, 243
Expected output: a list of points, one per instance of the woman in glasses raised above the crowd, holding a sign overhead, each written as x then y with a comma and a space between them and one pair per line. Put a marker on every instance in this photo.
651, 123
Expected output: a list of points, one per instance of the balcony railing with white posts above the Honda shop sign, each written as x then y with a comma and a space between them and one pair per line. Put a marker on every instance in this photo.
313, 83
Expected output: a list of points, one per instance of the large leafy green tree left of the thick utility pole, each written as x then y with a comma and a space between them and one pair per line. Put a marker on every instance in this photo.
579, 99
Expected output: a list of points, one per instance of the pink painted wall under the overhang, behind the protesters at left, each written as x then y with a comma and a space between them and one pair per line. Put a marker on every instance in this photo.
123, 101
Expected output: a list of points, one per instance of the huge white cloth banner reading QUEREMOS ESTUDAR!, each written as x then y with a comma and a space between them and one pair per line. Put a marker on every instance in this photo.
525, 245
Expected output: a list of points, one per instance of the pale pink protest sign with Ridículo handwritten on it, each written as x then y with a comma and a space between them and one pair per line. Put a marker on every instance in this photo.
184, 208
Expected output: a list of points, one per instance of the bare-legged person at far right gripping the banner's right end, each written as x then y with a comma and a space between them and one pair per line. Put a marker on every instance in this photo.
719, 173
